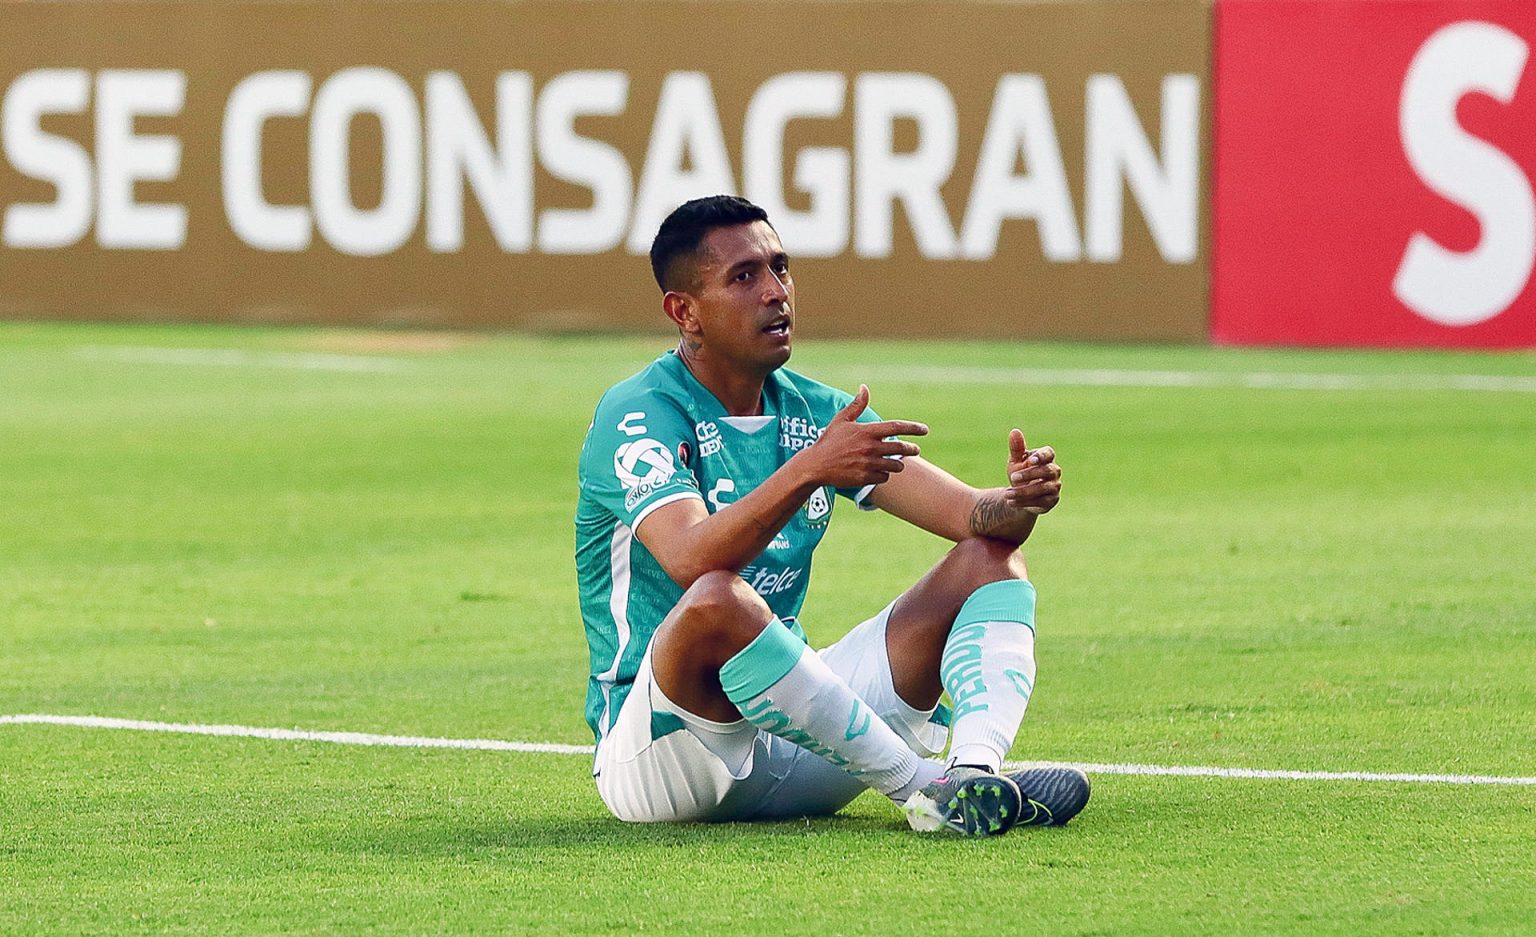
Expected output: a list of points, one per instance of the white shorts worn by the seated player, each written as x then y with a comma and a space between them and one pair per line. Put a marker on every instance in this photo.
661, 763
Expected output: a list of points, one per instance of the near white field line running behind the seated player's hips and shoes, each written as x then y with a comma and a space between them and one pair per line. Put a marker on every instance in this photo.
288, 735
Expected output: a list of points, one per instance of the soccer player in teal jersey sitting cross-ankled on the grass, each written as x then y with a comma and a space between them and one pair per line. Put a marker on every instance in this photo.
707, 482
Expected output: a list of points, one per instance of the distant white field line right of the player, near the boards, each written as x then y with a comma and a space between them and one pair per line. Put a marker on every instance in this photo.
1200, 379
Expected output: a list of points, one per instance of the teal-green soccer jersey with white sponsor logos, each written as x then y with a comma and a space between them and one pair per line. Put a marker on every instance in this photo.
661, 437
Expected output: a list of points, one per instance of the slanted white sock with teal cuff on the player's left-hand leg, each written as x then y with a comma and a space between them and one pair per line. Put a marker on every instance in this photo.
786, 689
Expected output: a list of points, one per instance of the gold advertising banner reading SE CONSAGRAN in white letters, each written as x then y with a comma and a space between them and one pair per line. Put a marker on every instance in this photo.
990, 170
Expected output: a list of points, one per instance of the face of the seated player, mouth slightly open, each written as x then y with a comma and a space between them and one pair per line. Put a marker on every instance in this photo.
746, 297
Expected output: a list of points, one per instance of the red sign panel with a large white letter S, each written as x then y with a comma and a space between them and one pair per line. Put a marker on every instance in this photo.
1375, 173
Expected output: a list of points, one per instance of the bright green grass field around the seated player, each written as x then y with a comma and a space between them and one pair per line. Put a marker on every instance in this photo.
366, 532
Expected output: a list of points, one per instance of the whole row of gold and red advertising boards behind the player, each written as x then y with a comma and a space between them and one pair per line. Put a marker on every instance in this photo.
1320, 173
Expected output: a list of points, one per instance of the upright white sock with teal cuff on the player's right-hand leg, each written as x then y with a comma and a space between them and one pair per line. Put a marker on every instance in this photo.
990, 670
